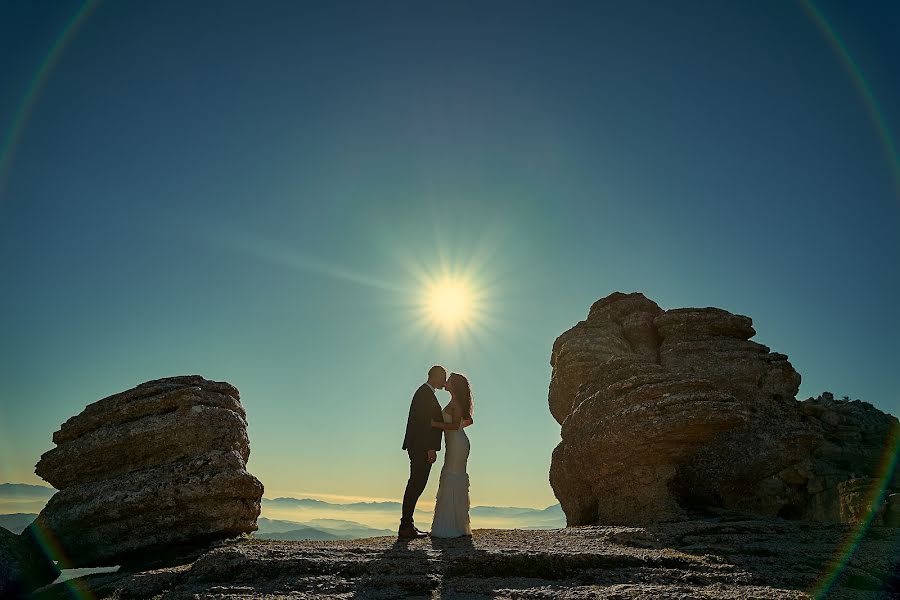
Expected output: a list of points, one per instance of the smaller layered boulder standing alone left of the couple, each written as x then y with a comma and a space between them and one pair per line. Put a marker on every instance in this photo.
160, 467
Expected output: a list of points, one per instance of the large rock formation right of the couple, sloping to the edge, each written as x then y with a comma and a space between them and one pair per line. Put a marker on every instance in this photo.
667, 410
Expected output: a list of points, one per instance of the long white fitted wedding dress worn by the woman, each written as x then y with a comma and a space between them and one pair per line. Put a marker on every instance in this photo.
451, 507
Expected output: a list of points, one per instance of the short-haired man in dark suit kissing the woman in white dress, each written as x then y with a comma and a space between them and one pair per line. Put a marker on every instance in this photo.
422, 442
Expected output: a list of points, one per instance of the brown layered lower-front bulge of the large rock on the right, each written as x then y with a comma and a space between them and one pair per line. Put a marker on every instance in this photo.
607, 475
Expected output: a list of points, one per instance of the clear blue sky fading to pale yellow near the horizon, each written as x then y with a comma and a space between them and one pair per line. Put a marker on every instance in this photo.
251, 192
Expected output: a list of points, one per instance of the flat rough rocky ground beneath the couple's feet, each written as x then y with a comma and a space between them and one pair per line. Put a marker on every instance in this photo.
718, 556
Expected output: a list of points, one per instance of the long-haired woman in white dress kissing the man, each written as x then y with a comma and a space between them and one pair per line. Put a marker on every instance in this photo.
451, 509
